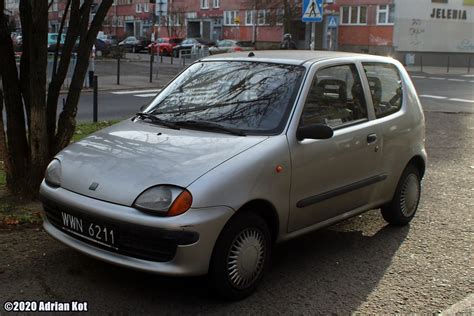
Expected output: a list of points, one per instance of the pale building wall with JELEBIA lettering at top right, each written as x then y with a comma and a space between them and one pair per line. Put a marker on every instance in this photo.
435, 31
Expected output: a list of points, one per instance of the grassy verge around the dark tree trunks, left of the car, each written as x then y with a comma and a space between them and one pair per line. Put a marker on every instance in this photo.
14, 210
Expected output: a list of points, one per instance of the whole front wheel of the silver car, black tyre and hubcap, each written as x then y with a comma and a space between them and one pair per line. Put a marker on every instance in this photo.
247, 237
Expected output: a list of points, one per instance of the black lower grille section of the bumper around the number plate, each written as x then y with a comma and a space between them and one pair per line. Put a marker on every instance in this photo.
136, 241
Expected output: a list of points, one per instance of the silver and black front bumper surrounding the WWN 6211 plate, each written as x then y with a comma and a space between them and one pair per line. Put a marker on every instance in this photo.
182, 245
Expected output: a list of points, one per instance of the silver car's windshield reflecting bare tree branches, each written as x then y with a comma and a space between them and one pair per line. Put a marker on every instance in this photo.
253, 98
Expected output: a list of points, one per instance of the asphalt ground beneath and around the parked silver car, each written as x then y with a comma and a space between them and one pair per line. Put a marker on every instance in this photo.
360, 265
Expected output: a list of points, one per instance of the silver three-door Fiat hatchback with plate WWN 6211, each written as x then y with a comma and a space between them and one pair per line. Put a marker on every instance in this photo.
239, 152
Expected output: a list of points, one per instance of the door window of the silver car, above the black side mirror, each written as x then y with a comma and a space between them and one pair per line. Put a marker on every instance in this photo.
336, 98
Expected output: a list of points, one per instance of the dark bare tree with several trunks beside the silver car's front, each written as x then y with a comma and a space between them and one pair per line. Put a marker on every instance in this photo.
33, 134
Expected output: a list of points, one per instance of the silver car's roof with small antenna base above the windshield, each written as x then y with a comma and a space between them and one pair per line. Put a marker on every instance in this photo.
295, 57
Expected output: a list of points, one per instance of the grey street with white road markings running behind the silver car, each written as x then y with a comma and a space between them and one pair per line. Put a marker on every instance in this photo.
448, 93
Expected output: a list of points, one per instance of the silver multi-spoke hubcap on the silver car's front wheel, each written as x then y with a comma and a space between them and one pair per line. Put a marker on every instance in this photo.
246, 258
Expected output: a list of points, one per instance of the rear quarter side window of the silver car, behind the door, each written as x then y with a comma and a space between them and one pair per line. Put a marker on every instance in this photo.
385, 87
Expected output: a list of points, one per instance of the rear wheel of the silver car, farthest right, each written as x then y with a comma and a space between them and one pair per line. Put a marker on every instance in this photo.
402, 208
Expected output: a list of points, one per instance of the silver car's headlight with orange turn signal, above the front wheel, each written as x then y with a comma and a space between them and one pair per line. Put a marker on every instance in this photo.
164, 200
